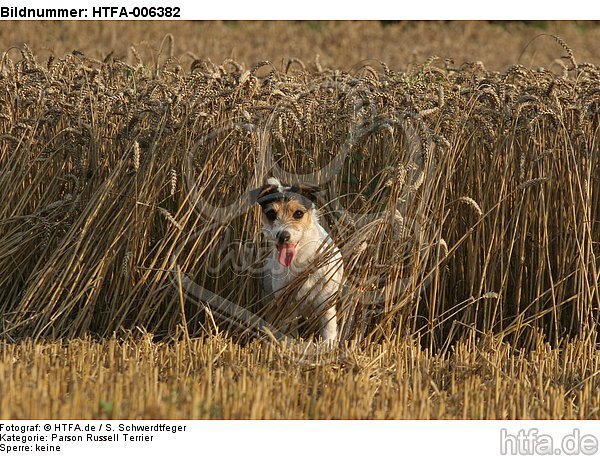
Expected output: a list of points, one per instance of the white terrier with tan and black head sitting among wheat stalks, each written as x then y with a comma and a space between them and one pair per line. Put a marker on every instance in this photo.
303, 253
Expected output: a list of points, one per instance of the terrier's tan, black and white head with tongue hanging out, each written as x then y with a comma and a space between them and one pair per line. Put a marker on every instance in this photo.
288, 211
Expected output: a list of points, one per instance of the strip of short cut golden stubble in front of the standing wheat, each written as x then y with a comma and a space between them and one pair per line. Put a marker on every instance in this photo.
217, 379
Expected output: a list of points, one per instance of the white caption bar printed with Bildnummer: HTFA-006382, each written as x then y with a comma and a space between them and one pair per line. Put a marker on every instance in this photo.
305, 10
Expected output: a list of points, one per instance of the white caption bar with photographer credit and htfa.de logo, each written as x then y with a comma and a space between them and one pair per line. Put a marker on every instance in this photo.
153, 437
